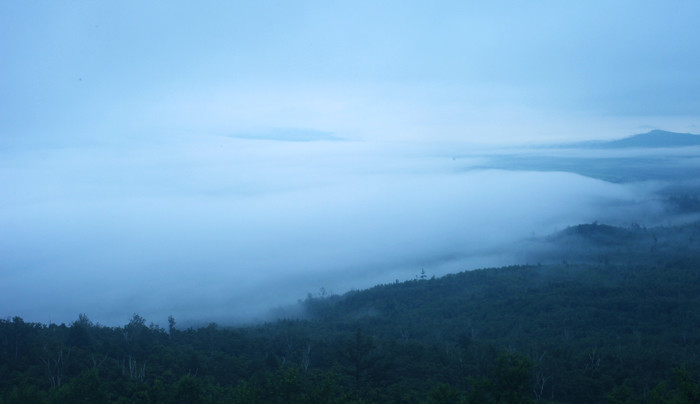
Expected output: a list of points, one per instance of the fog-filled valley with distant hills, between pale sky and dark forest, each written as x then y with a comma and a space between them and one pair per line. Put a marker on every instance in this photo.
230, 228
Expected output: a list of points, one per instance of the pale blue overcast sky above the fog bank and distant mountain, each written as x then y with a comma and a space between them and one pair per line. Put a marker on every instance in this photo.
458, 70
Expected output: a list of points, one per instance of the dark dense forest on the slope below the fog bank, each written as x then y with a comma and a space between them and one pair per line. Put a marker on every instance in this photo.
602, 314
